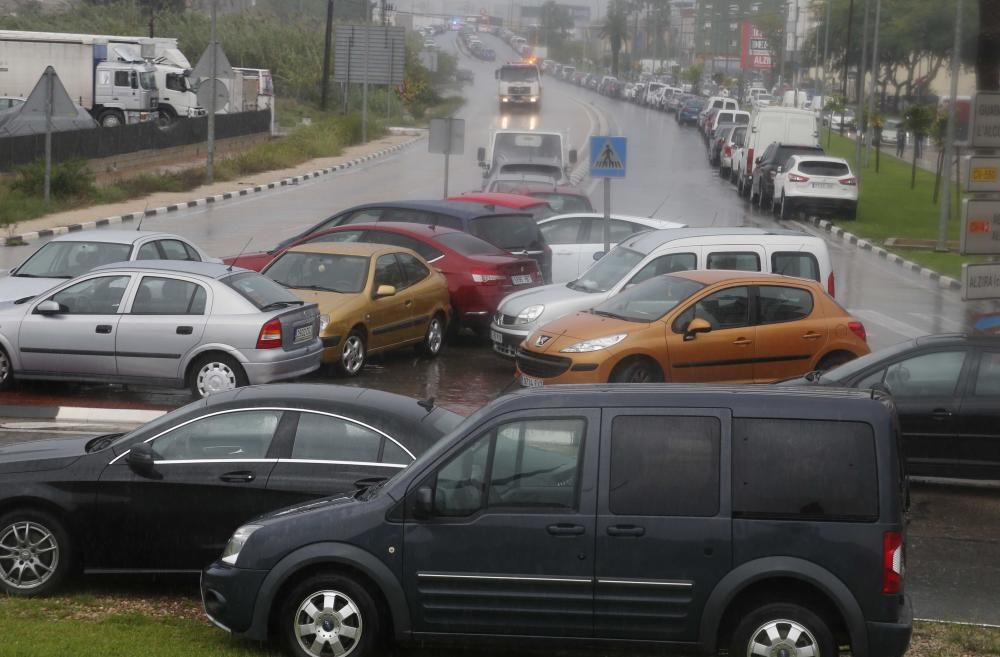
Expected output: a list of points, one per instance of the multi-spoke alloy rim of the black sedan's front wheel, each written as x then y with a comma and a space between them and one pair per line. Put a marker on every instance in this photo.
29, 555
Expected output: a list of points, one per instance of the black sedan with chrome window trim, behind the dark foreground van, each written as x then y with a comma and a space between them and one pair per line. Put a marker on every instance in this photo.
167, 496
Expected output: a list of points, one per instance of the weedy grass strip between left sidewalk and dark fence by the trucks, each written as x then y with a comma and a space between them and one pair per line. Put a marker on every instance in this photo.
21, 197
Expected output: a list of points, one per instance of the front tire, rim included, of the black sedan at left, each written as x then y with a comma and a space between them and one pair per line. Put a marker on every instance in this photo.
46, 553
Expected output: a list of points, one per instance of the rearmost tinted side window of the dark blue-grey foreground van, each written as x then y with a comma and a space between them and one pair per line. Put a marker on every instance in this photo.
804, 470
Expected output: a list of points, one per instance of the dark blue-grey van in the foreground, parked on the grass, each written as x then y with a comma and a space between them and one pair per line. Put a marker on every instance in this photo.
689, 502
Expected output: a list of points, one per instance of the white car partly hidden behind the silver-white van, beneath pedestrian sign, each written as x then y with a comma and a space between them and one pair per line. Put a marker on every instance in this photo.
577, 239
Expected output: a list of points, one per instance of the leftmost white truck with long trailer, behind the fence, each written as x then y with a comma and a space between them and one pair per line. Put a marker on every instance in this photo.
111, 82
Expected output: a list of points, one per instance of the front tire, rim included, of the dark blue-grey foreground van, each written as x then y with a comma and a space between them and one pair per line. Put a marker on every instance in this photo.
341, 612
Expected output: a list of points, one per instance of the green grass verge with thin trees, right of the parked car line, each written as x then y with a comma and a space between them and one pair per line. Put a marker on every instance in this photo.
888, 207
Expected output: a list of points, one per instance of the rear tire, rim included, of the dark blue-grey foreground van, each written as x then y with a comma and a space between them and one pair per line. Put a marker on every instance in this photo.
783, 628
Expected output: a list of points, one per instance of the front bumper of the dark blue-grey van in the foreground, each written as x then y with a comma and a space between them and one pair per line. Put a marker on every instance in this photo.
228, 596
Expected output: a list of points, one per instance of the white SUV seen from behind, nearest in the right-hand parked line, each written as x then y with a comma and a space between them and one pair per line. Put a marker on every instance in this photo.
820, 185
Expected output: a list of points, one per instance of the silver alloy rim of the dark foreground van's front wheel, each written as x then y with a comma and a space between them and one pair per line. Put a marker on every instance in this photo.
328, 623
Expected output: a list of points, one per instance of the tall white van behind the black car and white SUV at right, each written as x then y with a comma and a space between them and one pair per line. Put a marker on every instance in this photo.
770, 124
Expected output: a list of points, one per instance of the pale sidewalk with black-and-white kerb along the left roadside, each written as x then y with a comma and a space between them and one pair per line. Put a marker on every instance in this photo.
161, 199
